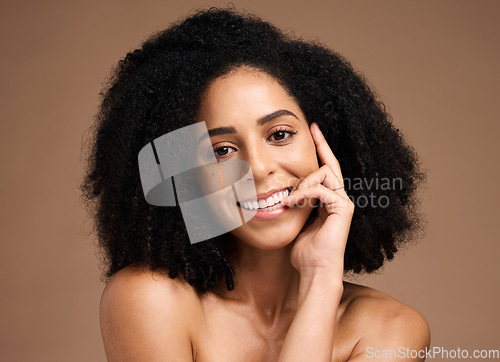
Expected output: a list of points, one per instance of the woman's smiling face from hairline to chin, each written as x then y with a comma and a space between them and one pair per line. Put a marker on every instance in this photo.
251, 117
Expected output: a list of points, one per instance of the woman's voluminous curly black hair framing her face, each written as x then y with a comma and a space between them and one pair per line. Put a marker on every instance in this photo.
157, 89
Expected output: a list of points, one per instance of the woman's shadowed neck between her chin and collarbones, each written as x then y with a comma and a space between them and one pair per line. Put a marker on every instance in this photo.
265, 281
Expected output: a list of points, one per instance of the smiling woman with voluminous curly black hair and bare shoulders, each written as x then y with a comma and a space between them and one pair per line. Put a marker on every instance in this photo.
272, 289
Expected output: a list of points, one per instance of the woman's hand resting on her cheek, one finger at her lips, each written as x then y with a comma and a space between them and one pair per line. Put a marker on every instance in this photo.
320, 245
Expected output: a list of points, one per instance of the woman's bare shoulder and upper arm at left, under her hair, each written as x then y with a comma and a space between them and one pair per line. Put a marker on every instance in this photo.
145, 315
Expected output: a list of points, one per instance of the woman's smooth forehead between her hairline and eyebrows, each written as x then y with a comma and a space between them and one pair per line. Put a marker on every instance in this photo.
245, 93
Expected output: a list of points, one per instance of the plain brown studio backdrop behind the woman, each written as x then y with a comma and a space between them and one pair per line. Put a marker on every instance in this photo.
434, 64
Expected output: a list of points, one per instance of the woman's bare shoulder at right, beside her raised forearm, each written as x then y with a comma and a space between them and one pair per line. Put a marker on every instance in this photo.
384, 323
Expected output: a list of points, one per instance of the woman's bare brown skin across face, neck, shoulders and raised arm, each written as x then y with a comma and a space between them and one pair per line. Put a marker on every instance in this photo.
289, 301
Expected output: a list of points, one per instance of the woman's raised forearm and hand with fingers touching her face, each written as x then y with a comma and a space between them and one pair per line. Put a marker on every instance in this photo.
318, 255
